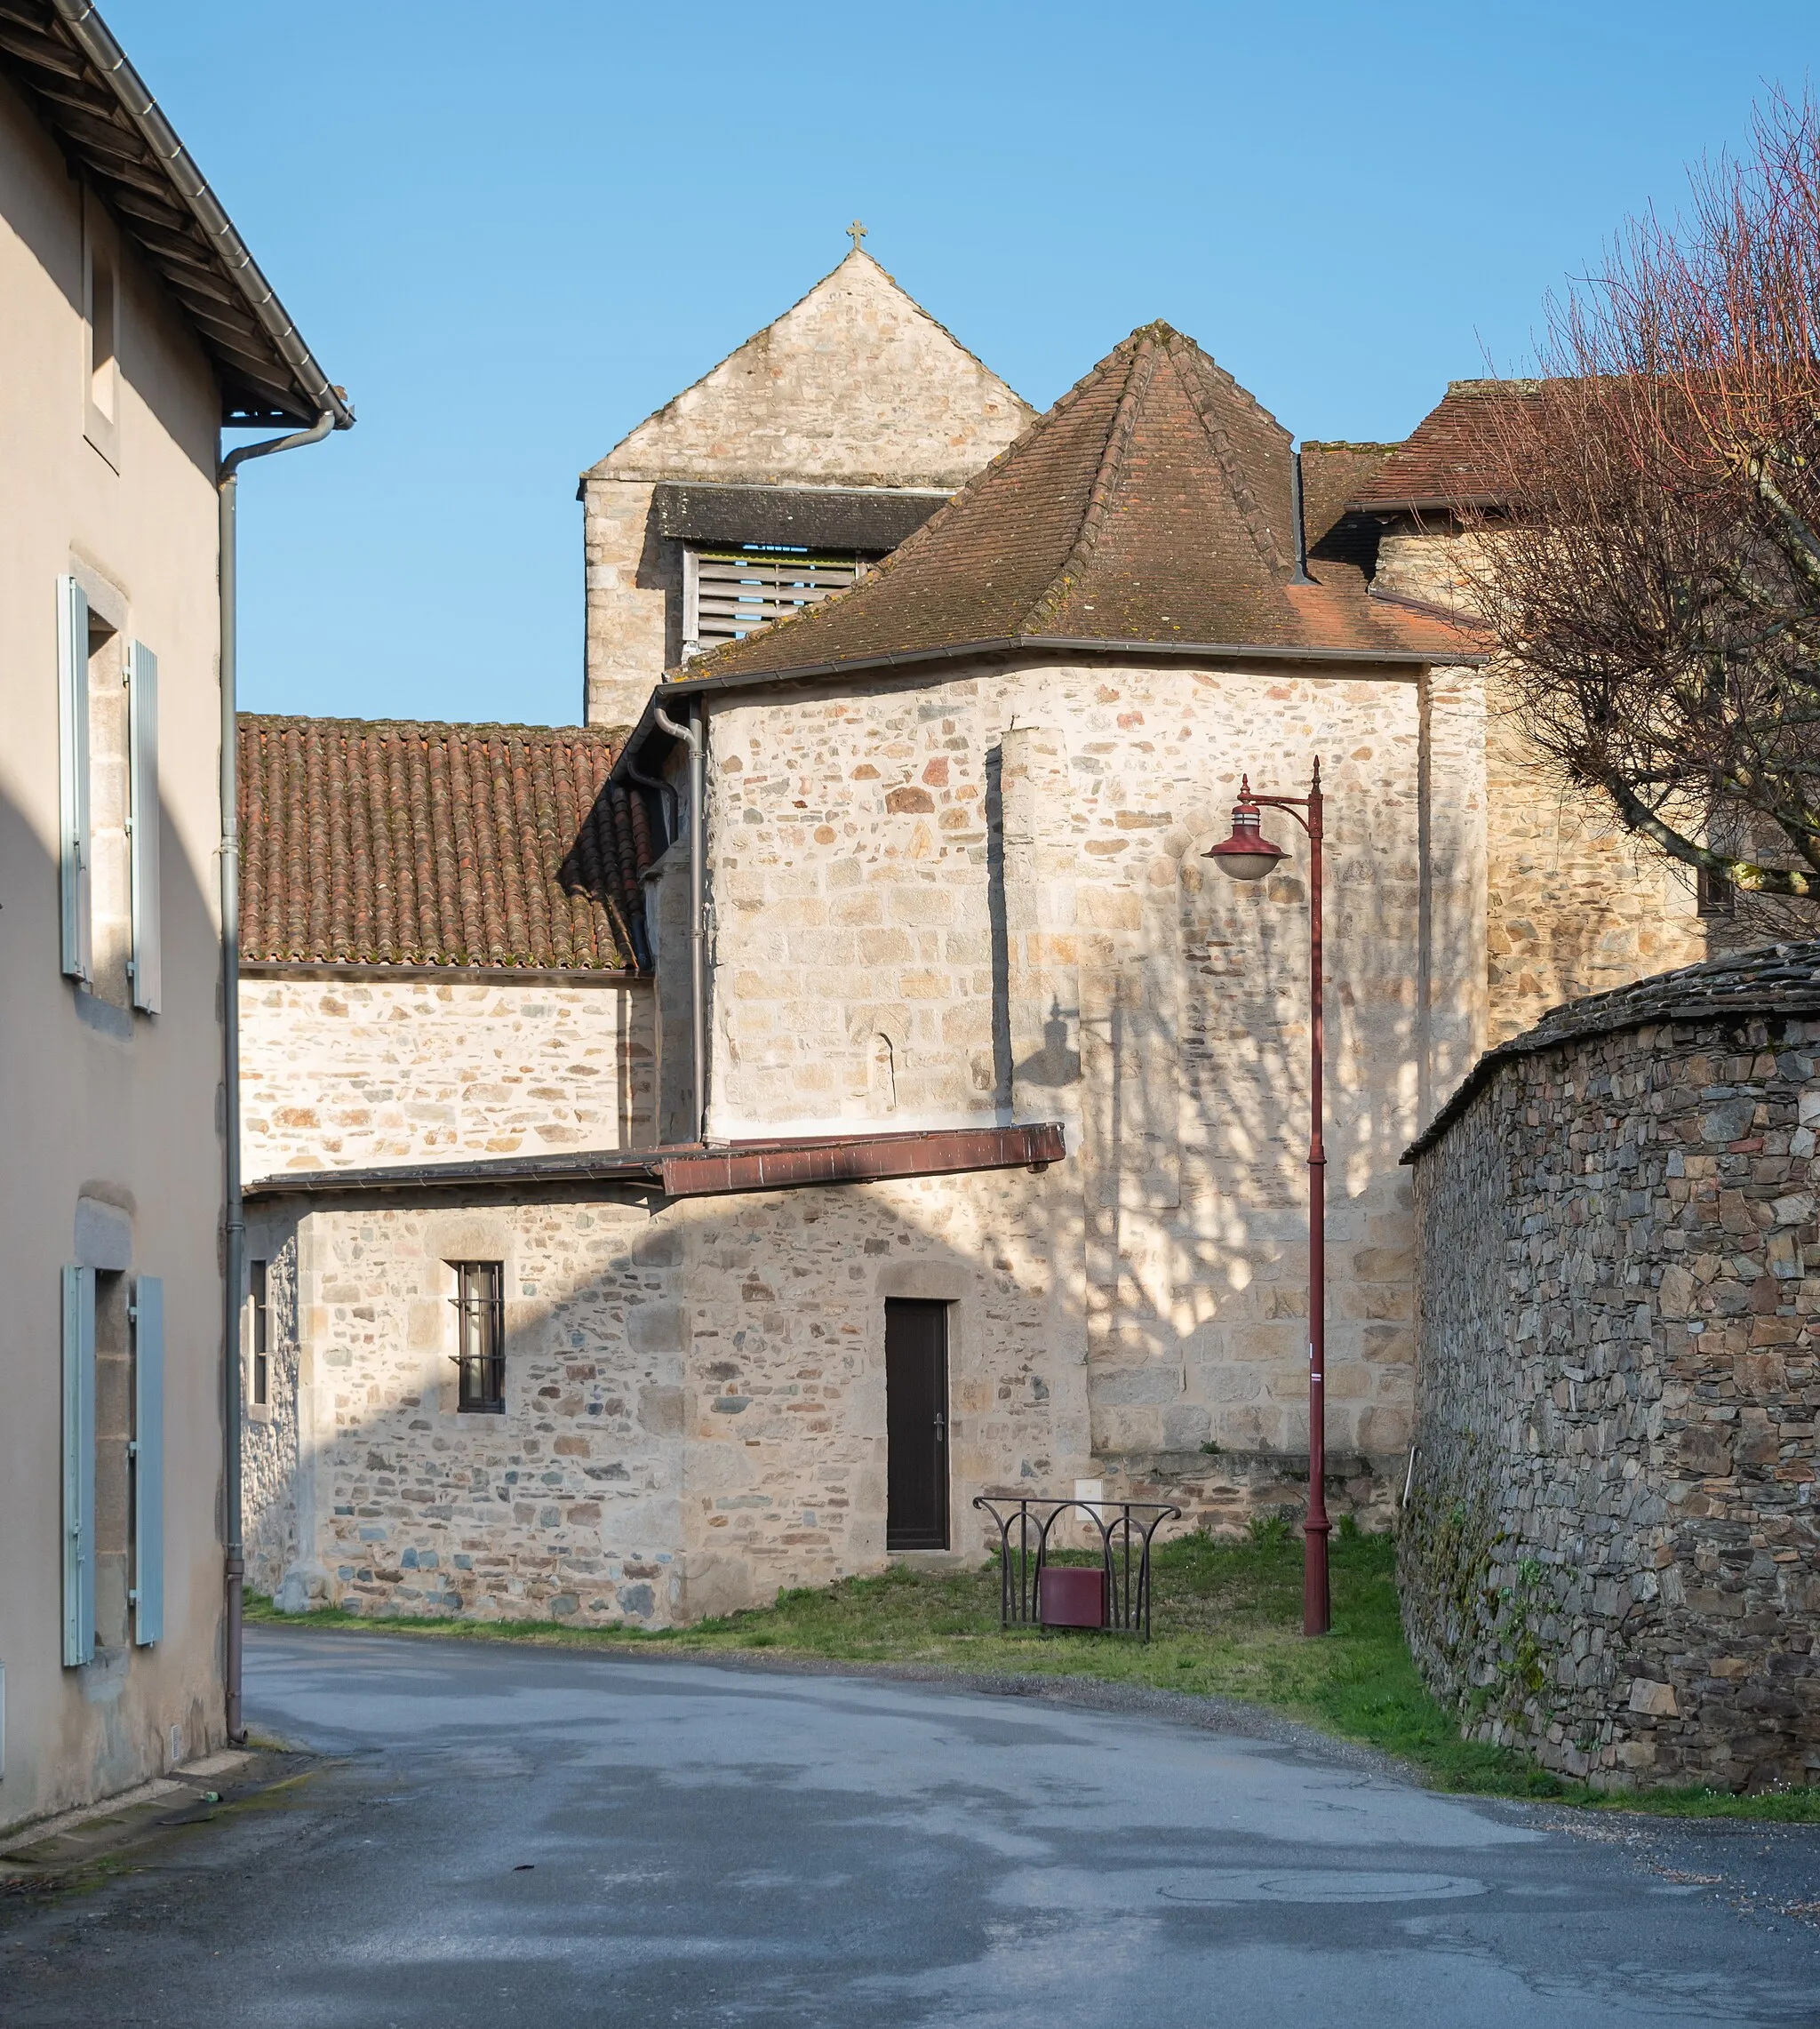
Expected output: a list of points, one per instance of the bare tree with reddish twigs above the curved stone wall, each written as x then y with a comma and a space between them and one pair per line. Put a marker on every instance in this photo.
1655, 567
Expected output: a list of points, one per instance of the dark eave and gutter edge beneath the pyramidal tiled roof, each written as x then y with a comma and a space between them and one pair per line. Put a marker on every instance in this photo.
914, 667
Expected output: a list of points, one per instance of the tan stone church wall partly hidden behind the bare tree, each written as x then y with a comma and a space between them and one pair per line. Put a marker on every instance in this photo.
1576, 904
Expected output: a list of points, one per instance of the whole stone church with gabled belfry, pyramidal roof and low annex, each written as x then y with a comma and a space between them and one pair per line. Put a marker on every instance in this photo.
620, 1259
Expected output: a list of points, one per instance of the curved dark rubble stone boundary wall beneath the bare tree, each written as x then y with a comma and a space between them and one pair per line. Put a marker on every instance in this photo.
1610, 1553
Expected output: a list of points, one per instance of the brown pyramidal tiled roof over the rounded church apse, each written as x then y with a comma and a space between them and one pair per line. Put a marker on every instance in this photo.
1151, 504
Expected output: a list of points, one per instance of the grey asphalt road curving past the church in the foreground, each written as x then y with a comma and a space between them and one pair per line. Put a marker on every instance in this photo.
516, 1837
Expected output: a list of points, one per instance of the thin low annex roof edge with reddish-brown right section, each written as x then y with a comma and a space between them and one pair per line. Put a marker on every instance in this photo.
695, 1170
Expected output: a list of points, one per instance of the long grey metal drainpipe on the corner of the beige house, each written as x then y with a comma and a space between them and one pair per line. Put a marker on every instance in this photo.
228, 488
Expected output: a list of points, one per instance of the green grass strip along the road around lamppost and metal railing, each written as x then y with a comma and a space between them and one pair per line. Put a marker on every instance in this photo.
1227, 1622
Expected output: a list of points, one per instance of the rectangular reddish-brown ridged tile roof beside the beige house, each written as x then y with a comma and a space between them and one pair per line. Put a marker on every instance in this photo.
421, 845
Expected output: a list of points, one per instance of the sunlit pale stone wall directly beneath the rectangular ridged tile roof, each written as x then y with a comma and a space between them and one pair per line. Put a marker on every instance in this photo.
344, 1074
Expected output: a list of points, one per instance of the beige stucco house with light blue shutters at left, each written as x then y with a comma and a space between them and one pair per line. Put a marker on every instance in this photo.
135, 328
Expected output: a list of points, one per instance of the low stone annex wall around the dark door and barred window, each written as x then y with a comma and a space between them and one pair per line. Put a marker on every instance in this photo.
695, 1397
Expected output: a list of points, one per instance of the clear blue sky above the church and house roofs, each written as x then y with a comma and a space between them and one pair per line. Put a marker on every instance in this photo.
516, 230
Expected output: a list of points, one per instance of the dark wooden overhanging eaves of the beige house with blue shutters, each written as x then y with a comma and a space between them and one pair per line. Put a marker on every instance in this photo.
66, 62
